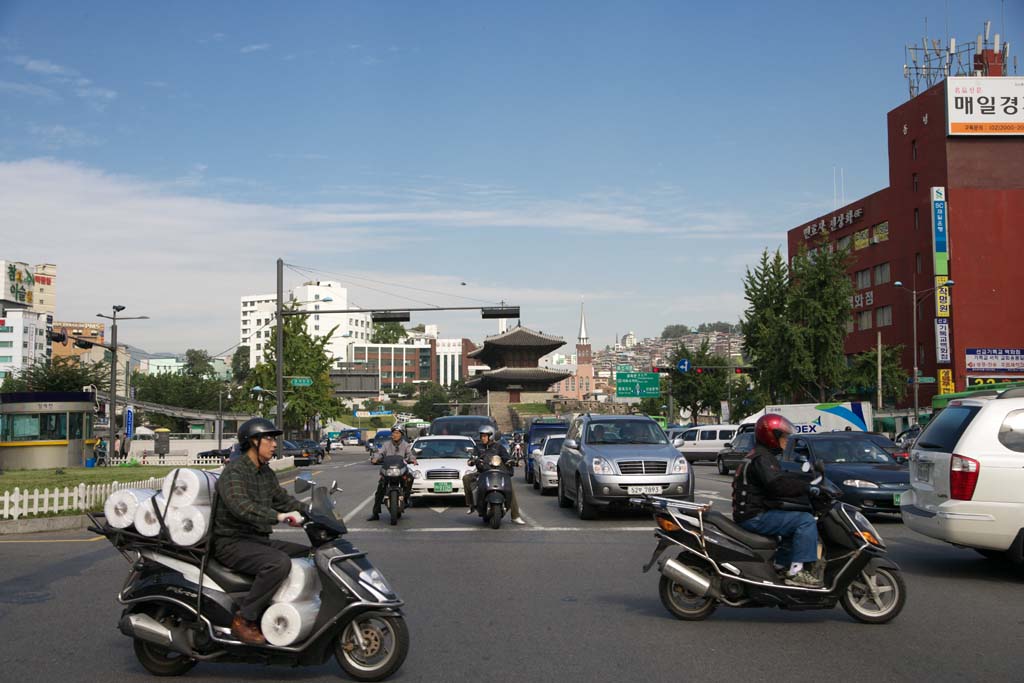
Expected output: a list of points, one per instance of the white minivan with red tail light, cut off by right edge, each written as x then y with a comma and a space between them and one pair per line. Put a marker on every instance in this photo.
967, 477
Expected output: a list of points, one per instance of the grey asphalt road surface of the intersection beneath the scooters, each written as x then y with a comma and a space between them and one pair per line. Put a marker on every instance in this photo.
559, 600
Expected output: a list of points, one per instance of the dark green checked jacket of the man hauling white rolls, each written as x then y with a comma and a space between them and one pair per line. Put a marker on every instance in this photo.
249, 499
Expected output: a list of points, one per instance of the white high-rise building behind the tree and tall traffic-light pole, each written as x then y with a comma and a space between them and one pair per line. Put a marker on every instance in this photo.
259, 312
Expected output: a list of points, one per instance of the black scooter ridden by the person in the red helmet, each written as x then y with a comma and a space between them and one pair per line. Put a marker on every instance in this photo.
720, 563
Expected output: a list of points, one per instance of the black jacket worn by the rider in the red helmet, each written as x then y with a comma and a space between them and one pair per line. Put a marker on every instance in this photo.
761, 485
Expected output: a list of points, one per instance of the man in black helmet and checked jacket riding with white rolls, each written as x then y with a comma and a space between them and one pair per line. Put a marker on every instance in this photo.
250, 501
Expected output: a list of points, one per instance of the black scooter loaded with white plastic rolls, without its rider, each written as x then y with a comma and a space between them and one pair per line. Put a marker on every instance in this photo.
180, 604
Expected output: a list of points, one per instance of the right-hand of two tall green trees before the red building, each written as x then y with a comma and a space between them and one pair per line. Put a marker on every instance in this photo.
820, 304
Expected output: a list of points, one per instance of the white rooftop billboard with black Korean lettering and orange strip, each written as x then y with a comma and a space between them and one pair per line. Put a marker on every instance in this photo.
985, 106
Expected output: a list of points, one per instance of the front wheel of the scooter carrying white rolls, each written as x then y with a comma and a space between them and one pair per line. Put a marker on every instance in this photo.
387, 644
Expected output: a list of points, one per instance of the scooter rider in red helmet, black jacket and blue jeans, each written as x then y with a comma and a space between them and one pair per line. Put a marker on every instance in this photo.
759, 490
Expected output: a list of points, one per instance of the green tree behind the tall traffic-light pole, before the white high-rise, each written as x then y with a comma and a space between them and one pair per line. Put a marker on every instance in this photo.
306, 356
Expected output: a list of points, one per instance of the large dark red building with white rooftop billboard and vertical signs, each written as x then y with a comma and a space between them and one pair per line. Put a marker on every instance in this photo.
979, 174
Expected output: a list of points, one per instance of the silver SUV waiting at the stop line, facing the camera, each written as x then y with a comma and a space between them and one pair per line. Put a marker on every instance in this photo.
606, 459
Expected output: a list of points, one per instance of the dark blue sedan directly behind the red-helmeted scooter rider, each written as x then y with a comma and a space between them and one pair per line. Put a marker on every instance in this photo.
870, 478
